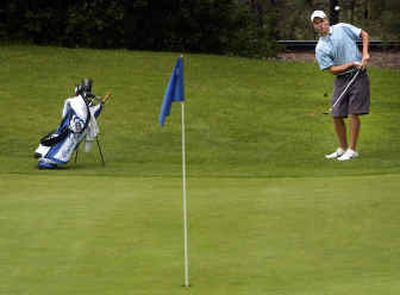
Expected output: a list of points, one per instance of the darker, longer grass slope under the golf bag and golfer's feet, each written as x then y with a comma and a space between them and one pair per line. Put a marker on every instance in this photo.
244, 117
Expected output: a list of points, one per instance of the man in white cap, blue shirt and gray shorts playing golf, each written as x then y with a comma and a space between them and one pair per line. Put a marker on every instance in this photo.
337, 52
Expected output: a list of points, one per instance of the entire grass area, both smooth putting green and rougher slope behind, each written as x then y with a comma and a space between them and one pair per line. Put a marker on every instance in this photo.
267, 213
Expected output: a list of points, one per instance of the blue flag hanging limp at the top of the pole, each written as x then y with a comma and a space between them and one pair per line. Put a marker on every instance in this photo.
174, 91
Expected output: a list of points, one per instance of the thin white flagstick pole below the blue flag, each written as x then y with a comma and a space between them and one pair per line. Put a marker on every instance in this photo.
185, 221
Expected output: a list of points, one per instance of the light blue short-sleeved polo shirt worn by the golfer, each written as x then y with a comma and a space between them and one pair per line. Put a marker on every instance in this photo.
339, 46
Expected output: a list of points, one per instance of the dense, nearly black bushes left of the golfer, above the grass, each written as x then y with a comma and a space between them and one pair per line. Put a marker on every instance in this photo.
215, 26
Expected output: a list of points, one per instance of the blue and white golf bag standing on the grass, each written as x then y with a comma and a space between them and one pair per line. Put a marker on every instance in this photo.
78, 124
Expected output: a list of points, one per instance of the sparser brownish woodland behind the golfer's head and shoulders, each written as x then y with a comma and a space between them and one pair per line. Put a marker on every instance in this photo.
381, 18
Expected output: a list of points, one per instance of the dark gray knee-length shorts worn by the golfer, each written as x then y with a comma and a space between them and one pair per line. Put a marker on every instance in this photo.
356, 100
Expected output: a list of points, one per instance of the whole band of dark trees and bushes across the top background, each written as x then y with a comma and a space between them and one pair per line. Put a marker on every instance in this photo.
239, 27
